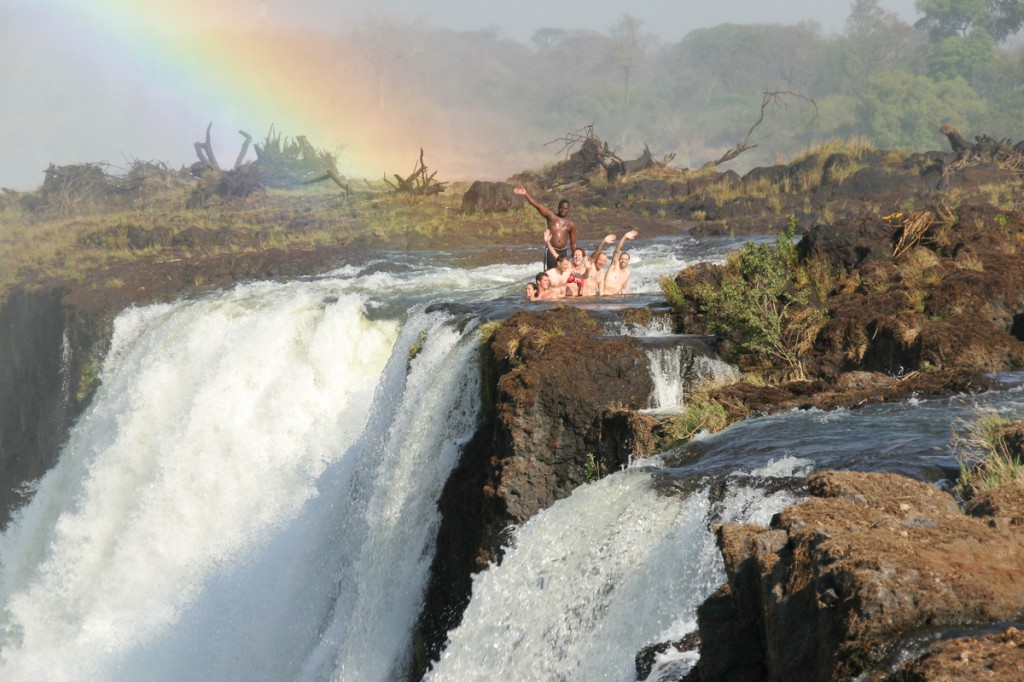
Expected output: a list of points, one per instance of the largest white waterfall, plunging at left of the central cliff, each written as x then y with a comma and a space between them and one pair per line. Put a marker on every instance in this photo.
254, 488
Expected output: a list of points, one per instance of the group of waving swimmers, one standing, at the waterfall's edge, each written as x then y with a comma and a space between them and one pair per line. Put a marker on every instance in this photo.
568, 270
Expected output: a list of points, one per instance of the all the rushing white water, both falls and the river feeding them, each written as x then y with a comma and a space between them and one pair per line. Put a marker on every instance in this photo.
252, 494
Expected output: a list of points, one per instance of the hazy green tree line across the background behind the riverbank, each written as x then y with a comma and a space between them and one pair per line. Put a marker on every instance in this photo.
881, 78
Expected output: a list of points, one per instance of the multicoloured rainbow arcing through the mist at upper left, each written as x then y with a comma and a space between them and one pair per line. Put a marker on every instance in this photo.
246, 78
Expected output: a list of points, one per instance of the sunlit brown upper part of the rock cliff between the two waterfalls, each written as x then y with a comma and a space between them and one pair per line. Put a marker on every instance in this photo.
559, 386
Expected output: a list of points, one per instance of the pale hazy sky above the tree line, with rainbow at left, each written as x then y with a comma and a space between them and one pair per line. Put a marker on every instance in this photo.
109, 81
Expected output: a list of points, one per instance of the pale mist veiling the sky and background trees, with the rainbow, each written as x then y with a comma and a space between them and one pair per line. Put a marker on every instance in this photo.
103, 83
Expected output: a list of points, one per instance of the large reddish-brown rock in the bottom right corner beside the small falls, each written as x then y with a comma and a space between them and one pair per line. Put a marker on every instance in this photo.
870, 562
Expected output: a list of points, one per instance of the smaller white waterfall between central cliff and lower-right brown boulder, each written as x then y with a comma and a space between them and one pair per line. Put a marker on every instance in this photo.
618, 566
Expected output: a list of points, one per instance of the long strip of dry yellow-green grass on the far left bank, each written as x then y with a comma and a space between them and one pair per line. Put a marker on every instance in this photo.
72, 240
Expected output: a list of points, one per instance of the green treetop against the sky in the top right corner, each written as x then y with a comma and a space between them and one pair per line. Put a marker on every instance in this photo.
947, 19
